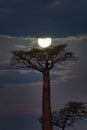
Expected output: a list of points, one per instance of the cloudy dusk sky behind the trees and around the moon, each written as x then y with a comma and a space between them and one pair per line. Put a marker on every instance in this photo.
22, 22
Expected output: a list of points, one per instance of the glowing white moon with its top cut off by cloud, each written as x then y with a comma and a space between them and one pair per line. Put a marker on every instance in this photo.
44, 42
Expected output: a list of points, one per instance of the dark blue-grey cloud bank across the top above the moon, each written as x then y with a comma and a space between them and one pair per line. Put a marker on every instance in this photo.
41, 18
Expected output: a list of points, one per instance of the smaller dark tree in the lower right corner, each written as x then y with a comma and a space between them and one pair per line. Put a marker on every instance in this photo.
69, 115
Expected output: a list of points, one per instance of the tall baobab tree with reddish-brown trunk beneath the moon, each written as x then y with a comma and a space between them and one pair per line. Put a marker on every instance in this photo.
43, 60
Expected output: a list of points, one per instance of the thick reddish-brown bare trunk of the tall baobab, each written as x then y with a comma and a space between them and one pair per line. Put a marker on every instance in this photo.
46, 105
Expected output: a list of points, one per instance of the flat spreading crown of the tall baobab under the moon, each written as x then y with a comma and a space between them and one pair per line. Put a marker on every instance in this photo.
41, 58
